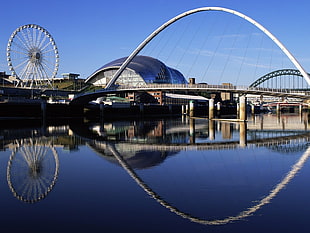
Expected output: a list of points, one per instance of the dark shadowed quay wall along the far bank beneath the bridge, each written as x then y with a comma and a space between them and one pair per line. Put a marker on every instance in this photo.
39, 109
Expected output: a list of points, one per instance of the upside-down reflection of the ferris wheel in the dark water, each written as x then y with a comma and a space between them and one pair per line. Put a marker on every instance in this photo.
32, 170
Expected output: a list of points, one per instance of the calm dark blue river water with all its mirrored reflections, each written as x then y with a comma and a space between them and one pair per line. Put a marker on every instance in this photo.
159, 175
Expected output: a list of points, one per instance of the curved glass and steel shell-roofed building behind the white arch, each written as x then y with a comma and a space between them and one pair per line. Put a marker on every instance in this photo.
141, 70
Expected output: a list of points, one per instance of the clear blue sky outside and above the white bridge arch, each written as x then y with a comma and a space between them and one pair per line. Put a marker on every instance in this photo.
91, 33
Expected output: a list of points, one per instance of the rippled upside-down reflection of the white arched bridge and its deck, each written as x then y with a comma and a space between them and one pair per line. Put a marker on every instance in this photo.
280, 140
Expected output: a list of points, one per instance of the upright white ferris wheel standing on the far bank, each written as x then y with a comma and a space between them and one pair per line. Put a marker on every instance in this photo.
32, 56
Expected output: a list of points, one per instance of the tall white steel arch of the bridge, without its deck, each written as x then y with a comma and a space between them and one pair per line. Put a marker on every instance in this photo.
190, 12
